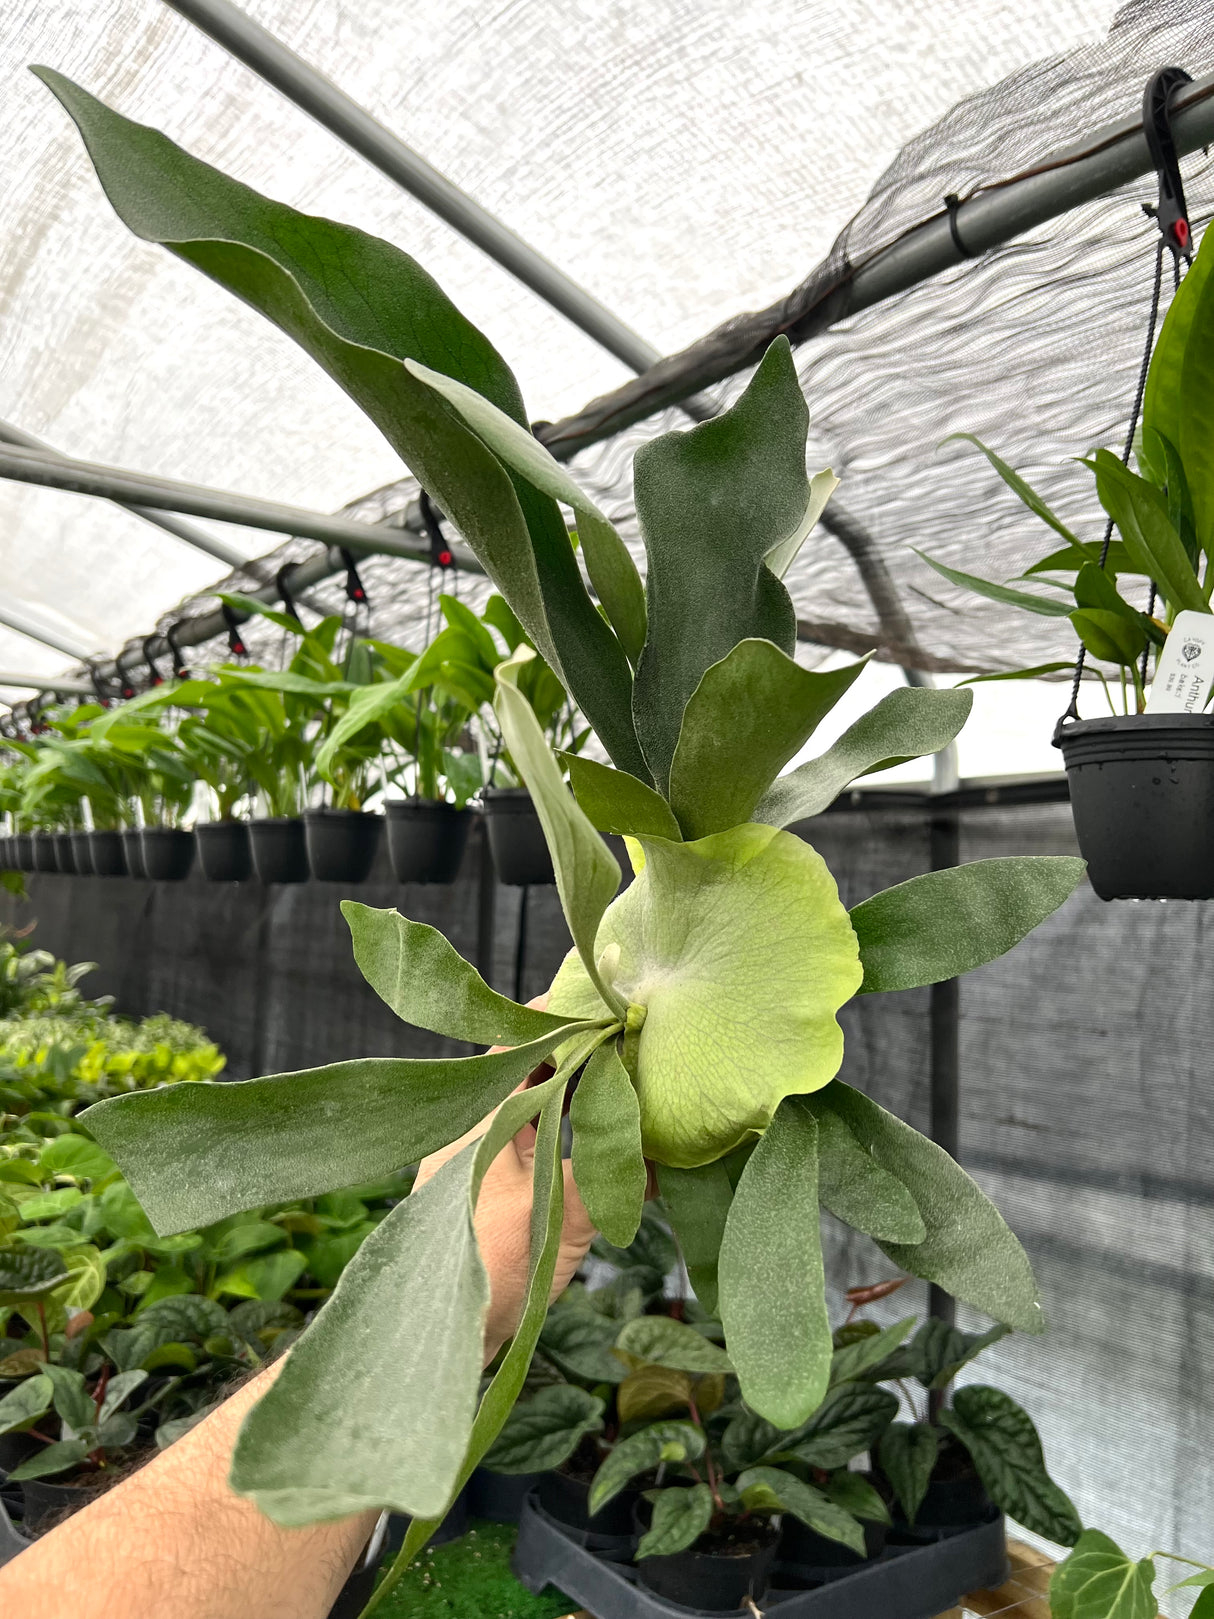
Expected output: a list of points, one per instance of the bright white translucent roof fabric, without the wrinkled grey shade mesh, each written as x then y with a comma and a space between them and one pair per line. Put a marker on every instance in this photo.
684, 161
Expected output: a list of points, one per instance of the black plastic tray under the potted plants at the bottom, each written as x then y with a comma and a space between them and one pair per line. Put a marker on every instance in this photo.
906, 1583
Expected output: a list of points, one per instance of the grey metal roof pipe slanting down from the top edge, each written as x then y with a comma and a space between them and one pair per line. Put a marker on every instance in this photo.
300, 83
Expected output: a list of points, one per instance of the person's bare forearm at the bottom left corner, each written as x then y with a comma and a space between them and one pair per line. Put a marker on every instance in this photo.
174, 1542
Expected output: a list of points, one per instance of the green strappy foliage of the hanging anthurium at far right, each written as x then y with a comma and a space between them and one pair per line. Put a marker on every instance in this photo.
1163, 514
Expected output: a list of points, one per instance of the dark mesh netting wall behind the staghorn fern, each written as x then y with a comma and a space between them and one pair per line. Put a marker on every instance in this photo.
1087, 1107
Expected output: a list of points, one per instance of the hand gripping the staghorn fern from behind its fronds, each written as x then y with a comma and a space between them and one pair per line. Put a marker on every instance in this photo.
504, 1223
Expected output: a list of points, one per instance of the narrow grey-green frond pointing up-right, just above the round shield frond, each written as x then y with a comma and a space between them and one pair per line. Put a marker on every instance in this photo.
904, 726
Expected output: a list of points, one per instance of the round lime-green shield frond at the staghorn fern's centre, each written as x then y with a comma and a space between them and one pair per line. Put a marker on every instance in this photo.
741, 954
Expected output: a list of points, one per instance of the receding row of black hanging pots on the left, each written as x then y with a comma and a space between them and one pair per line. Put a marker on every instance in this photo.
427, 844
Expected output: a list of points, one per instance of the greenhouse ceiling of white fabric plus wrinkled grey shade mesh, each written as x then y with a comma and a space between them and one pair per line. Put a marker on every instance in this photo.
682, 161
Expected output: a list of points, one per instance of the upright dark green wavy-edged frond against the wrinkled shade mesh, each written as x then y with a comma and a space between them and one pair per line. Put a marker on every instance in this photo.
715, 504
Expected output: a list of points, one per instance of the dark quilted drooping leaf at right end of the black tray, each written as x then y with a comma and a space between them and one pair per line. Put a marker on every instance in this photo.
1006, 1450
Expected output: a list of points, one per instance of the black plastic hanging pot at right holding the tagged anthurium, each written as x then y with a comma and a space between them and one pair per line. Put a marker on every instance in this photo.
1142, 791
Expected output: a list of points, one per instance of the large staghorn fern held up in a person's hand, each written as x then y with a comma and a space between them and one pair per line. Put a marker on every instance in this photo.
698, 1011
